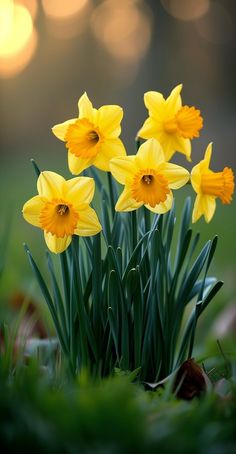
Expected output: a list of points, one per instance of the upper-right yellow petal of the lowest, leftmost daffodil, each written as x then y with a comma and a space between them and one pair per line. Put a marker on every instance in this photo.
80, 190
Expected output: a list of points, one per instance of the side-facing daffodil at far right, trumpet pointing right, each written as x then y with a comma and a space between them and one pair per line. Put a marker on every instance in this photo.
209, 185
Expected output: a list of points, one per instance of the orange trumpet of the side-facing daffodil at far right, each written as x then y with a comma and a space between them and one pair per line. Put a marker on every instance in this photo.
219, 184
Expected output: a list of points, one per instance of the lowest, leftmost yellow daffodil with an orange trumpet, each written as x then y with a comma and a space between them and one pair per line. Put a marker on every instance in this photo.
62, 209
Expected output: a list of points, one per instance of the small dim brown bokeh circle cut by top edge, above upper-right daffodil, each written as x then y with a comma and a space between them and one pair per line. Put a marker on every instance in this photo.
186, 10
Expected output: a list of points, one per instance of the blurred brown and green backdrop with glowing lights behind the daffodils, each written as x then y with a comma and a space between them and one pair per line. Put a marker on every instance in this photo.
51, 51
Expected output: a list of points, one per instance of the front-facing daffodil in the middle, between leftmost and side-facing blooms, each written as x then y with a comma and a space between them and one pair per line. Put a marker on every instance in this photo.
148, 179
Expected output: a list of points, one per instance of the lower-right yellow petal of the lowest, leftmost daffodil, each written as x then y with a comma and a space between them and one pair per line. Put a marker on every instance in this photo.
88, 223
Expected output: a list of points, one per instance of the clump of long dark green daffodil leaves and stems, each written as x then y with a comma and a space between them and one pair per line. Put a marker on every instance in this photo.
120, 299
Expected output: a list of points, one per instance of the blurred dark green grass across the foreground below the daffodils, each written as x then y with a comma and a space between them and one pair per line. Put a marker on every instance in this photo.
109, 416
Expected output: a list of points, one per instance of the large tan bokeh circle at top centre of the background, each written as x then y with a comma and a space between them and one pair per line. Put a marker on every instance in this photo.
124, 28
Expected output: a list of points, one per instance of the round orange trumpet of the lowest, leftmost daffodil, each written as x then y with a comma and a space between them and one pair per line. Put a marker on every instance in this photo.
58, 217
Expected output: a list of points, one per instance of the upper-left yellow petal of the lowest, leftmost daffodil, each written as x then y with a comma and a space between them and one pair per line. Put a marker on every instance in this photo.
50, 184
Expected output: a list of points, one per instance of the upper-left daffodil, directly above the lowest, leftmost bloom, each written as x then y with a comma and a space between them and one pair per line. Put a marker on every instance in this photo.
93, 138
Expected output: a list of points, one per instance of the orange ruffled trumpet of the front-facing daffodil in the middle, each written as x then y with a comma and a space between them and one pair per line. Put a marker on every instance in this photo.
149, 187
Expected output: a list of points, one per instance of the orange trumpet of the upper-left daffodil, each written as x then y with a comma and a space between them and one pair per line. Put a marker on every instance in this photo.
82, 139
